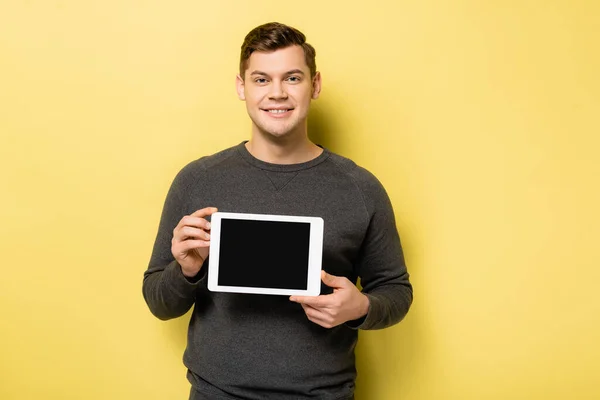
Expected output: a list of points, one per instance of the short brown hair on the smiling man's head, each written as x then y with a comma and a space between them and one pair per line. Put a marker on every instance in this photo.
274, 36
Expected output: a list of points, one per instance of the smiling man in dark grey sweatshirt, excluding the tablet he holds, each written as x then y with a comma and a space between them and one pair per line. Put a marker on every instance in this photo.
243, 346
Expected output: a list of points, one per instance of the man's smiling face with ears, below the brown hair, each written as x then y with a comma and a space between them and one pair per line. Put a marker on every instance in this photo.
278, 89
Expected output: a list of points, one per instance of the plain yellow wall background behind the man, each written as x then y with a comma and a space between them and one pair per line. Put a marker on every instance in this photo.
481, 118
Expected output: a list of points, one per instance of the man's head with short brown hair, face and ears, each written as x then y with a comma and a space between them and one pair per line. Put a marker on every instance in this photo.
278, 79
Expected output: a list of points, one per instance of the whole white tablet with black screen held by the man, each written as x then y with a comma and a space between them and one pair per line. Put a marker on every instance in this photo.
265, 254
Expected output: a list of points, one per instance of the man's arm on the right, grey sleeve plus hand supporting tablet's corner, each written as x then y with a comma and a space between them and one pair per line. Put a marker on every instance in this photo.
387, 292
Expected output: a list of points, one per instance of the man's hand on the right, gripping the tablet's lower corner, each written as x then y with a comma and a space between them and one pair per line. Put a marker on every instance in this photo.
346, 303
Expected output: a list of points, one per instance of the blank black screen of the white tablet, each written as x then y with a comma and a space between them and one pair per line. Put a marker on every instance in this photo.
266, 254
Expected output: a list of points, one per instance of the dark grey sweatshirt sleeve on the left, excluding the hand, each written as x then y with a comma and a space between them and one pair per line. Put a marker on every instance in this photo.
168, 293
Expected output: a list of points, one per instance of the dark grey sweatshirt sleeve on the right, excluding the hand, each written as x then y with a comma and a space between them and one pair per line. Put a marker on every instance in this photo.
381, 266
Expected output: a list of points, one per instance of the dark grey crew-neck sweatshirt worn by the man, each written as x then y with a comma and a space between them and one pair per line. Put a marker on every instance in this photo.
247, 346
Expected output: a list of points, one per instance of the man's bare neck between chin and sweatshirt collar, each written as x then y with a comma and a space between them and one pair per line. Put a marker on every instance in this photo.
291, 150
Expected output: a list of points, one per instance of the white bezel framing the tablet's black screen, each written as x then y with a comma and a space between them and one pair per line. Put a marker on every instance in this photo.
315, 254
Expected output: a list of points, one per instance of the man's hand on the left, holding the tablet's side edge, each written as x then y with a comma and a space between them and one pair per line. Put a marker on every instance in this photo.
191, 241
